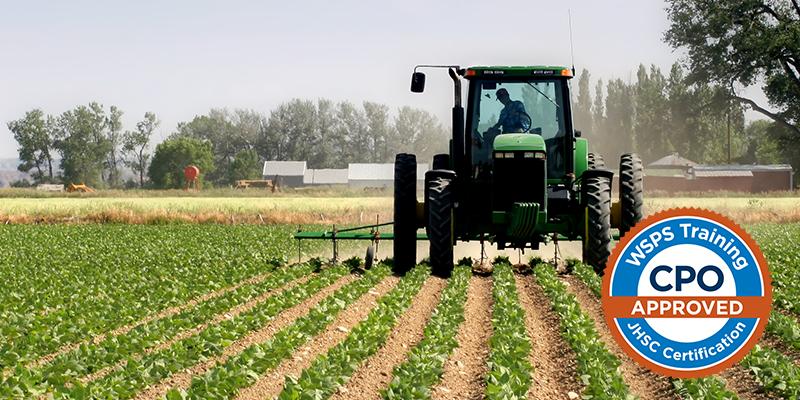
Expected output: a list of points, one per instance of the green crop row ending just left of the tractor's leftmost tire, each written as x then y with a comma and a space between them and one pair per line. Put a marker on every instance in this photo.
243, 369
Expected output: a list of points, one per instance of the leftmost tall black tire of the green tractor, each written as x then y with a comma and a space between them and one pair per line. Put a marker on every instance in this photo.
405, 212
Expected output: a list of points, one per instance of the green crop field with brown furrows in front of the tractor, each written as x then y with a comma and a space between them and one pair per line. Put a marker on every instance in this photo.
219, 311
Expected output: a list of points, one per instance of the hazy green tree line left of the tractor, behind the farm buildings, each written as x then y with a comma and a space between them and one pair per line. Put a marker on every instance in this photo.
90, 145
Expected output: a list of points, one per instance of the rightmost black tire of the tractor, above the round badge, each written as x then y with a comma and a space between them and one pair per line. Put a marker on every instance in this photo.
631, 191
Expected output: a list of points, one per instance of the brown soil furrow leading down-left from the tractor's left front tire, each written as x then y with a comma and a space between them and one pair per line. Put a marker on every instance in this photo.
376, 372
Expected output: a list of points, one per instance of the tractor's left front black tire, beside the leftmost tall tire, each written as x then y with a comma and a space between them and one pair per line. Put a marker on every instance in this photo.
438, 185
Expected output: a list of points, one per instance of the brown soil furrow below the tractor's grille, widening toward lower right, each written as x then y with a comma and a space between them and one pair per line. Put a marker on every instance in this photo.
554, 363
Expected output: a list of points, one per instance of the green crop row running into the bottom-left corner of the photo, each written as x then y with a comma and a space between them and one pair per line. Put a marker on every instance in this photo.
92, 357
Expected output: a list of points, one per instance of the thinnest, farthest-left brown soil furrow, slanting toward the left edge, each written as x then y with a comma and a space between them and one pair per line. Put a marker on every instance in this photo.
161, 314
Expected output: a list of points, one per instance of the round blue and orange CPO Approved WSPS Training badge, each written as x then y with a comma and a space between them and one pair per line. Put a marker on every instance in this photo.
687, 293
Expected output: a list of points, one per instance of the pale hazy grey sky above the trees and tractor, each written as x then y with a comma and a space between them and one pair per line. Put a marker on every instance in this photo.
180, 58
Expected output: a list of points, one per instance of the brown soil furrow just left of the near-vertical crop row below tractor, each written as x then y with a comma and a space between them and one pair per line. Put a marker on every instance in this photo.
465, 371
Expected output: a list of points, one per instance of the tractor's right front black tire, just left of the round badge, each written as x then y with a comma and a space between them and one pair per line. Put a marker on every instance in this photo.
597, 235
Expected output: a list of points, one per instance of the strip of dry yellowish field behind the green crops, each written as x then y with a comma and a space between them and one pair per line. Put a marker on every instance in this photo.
204, 208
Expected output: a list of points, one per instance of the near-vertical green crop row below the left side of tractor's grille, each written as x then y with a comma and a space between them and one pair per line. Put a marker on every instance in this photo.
510, 370
